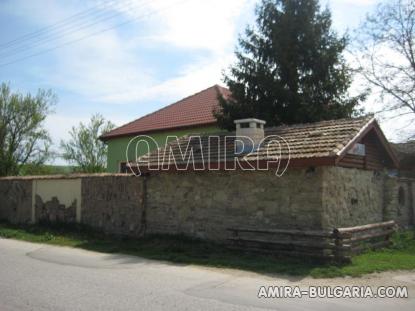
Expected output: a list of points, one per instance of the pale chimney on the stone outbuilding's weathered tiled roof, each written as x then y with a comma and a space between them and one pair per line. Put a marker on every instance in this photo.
252, 128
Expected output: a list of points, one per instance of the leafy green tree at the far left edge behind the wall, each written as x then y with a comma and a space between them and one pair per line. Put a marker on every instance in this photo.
23, 139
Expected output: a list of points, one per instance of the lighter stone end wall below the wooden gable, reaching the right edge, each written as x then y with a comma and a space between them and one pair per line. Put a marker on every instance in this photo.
356, 197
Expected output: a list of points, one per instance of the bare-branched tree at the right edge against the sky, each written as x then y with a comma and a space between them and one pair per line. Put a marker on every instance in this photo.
386, 54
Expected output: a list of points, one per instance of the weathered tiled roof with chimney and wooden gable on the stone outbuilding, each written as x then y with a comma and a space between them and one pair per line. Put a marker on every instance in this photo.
353, 143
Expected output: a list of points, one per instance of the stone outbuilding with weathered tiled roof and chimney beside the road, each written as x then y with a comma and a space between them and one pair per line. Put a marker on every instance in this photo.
332, 174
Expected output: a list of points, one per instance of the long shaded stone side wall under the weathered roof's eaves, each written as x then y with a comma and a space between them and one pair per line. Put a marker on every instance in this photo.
204, 204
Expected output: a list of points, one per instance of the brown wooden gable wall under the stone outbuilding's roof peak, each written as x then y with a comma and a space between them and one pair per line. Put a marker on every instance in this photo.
376, 157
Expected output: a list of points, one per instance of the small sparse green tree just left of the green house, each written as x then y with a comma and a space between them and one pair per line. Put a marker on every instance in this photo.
84, 148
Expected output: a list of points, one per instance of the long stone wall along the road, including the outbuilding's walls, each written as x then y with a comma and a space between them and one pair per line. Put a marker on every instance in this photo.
204, 204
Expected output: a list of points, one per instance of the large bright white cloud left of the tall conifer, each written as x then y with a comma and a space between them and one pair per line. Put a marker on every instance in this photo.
109, 72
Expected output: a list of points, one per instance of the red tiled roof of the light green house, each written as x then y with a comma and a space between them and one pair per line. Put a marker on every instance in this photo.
191, 111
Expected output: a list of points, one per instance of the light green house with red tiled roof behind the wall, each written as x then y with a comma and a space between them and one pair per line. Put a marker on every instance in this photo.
193, 114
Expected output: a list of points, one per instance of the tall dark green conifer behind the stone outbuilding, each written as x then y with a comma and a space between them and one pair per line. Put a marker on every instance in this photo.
289, 69
